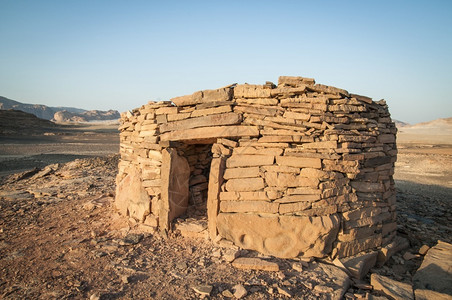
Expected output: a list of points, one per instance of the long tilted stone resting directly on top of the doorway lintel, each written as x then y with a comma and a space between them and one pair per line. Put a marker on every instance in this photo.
205, 121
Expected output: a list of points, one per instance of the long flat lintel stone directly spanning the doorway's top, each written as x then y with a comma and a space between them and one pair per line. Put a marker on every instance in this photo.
210, 132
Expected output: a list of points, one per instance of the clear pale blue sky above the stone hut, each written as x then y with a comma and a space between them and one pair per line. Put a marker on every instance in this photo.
121, 54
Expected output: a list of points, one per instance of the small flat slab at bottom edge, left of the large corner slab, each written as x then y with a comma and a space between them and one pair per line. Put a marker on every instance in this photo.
395, 289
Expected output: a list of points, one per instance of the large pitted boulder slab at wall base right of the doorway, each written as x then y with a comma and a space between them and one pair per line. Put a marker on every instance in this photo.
284, 236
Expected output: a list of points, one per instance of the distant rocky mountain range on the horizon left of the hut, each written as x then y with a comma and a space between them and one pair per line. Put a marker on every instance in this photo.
59, 114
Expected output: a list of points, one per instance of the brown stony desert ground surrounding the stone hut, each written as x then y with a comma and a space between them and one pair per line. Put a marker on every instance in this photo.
60, 237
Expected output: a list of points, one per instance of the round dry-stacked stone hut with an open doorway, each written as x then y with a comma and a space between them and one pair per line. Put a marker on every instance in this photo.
297, 169
